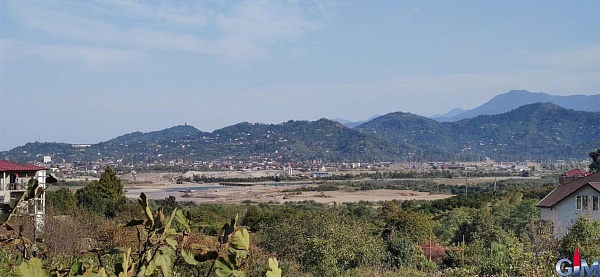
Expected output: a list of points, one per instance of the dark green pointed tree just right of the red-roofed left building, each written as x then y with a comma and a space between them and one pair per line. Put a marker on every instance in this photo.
104, 196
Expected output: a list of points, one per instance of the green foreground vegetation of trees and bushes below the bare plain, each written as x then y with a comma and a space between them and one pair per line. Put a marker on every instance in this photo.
96, 230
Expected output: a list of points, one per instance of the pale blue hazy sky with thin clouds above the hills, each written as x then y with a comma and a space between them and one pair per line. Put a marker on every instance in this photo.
88, 71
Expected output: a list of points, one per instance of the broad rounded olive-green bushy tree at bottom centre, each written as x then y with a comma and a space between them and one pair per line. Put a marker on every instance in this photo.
326, 242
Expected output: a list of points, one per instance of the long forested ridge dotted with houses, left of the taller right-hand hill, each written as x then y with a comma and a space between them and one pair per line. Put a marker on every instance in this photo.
290, 141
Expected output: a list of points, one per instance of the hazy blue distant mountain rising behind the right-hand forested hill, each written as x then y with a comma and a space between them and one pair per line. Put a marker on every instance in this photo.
516, 98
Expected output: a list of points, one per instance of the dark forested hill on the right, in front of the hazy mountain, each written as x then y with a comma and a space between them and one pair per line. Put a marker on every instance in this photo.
535, 131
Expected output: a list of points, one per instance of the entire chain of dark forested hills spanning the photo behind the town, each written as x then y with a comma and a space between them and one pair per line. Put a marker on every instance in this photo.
535, 131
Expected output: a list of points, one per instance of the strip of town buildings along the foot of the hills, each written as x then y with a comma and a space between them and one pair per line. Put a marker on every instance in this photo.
76, 169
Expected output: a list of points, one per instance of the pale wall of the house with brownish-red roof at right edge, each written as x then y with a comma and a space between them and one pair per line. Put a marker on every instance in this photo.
565, 213
